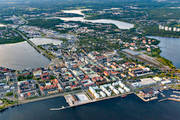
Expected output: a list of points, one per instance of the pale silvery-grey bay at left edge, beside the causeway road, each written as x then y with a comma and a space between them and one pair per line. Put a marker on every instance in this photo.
21, 56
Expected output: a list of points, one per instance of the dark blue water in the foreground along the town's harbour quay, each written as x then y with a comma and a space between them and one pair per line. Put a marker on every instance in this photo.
129, 108
